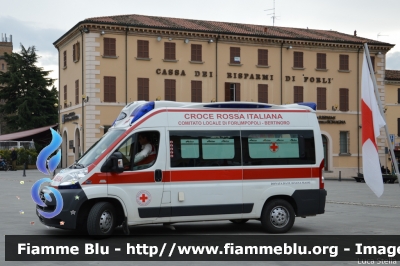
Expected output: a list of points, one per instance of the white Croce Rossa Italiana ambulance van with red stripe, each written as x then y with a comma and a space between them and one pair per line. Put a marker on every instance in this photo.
231, 161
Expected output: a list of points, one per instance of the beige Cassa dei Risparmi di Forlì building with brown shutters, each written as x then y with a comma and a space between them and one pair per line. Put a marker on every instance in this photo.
108, 62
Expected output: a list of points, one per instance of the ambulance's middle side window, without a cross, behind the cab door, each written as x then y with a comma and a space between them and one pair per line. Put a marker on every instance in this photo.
205, 148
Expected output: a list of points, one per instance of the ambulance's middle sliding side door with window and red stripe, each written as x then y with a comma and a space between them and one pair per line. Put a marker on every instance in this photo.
206, 175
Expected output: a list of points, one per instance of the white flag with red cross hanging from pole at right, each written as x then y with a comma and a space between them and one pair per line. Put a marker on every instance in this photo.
372, 121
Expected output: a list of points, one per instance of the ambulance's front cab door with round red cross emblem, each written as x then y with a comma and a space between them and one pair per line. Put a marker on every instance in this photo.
141, 186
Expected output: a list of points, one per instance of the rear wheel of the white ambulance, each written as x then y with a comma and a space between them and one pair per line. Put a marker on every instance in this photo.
278, 216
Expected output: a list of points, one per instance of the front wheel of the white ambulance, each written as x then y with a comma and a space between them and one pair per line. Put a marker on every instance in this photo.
101, 220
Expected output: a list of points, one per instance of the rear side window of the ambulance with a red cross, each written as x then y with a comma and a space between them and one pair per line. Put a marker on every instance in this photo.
278, 147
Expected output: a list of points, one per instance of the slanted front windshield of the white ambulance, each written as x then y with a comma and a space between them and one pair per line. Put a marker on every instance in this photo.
98, 148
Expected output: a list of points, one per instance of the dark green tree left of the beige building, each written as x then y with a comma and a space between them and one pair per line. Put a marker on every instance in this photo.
29, 103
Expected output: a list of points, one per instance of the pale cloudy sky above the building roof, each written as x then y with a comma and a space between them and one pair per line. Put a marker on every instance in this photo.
40, 23
